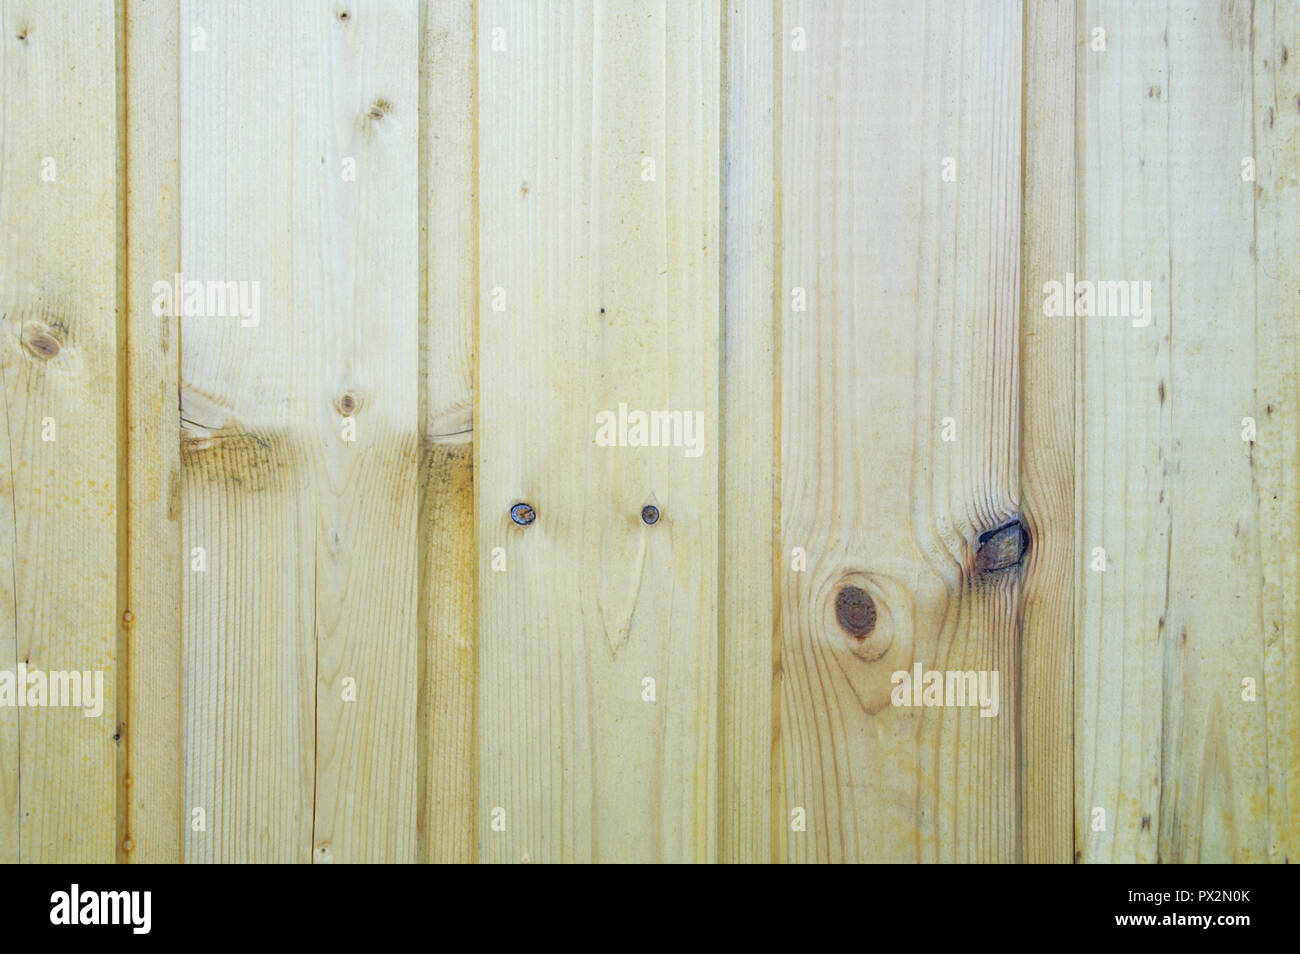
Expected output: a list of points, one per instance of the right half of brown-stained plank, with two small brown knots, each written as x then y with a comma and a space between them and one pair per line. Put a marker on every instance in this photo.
357, 272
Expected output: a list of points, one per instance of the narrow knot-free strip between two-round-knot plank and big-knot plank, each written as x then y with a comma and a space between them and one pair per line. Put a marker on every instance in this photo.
748, 435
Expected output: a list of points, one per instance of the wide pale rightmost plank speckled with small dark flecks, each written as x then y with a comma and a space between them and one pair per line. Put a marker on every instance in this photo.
1175, 764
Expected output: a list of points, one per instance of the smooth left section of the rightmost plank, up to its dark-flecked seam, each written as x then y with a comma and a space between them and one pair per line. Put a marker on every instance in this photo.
1125, 435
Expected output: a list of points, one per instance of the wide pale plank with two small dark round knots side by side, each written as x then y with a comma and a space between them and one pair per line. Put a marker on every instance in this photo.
612, 297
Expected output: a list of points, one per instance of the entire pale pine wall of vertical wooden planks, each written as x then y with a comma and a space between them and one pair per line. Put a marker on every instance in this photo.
363, 575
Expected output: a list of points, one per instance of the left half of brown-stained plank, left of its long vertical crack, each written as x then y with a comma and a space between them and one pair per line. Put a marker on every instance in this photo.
248, 510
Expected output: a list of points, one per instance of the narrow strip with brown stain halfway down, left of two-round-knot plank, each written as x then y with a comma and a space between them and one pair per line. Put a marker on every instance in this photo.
449, 830
